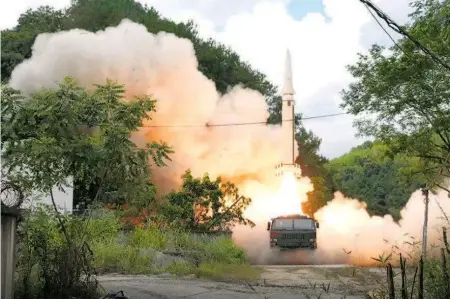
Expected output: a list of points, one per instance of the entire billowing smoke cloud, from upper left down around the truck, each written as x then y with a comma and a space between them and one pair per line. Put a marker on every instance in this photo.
165, 67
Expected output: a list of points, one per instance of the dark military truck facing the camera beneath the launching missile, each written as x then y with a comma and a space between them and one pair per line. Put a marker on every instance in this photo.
293, 231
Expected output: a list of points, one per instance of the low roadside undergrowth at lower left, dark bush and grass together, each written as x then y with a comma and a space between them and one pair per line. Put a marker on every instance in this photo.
100, 244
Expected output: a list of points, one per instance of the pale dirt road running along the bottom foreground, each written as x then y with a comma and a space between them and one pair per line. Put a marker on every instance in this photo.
331, 282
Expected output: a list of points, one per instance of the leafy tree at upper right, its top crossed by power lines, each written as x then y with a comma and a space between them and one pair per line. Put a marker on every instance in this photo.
403, 97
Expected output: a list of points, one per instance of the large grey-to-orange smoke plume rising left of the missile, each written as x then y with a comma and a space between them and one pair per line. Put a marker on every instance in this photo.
165, 67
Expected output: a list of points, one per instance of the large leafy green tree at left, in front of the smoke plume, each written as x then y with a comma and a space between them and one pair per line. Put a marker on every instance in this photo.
55, 134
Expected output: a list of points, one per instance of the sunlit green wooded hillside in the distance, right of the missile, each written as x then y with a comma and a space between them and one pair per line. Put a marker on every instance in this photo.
371, 173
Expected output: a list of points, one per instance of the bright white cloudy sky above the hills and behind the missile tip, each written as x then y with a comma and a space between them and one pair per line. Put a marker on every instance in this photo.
323, 36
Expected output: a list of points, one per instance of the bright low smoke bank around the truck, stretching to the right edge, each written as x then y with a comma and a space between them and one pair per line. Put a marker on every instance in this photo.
348, 234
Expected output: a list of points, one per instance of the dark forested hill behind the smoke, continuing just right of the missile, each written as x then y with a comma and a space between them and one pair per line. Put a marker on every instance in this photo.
216, 61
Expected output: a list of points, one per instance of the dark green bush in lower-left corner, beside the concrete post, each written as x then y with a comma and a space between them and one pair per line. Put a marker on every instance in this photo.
48, 266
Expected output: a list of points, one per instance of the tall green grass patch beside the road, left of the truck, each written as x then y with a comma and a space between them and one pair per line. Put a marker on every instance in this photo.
215, 257
